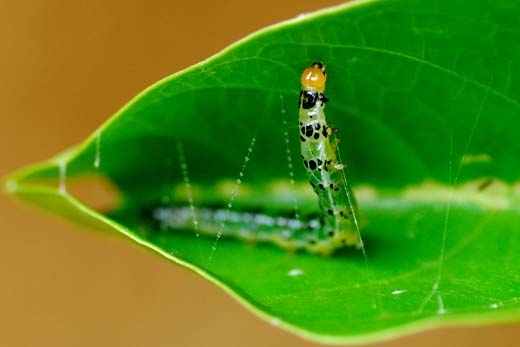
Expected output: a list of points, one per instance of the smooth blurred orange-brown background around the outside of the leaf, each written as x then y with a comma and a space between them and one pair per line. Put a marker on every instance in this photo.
65, 68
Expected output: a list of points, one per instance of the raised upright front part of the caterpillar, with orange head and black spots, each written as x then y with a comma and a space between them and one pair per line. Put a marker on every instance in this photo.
325, 172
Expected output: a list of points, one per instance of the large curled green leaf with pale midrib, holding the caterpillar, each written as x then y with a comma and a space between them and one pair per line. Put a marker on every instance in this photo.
426, 95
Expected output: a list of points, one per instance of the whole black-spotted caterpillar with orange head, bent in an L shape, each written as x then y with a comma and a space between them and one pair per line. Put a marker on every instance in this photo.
334, 228
